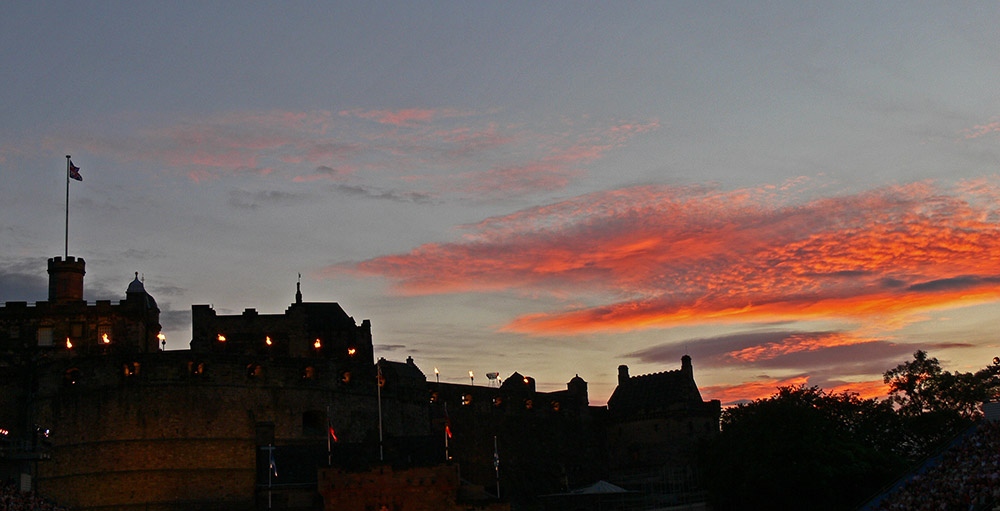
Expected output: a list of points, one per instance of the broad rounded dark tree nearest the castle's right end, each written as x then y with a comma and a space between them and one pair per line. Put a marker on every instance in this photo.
802, 448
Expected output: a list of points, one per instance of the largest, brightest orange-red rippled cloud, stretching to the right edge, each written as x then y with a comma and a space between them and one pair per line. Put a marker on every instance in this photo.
657, 256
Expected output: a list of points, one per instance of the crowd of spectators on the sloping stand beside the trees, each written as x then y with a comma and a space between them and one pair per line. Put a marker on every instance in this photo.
966, 479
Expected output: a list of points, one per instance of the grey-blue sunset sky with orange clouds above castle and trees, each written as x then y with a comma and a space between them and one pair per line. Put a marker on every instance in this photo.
789, 192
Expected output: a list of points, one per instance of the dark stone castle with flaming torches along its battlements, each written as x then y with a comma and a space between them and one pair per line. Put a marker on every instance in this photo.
292, 411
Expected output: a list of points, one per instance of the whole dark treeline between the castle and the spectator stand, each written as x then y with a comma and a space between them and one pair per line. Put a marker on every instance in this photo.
804, 448
